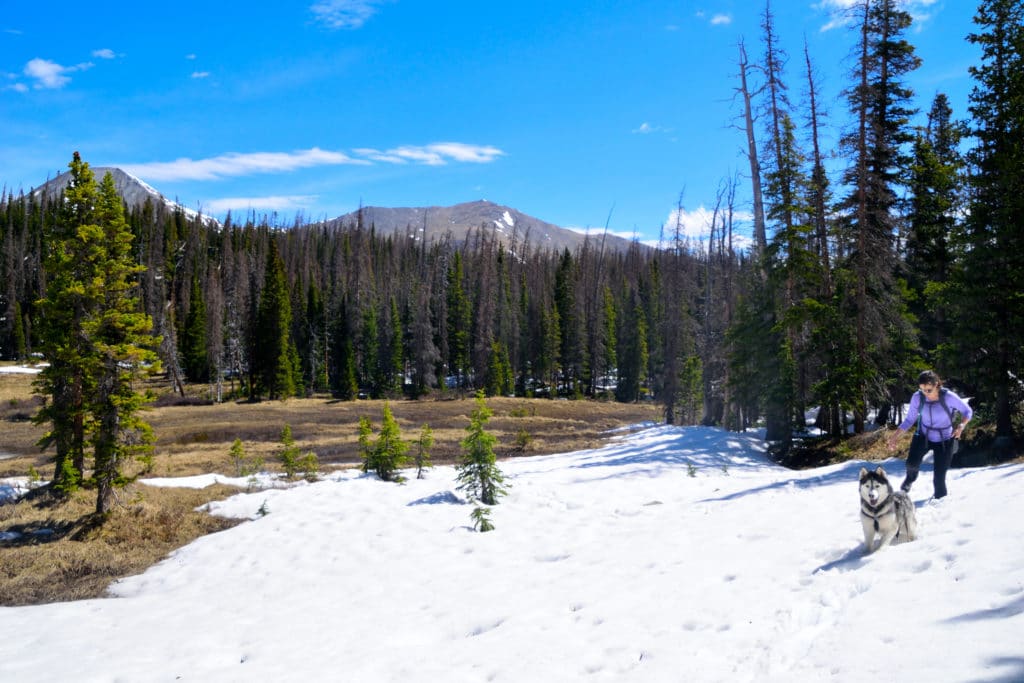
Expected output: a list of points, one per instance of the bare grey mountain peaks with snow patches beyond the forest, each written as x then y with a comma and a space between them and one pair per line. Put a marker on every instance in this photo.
428, 223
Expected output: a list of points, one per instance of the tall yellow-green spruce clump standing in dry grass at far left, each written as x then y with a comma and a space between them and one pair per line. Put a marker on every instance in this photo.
97, 338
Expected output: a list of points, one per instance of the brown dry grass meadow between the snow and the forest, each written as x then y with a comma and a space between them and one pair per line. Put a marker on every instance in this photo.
66, 553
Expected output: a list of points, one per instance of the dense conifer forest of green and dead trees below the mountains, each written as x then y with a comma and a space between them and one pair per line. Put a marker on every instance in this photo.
901, 250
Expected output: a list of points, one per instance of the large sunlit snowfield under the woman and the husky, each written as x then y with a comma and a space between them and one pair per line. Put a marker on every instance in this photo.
672, 554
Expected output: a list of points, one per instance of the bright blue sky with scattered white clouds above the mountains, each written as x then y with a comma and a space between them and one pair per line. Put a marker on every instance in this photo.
581, 114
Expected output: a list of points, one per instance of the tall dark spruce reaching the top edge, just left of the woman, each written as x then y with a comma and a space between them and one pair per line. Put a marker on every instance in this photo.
880, 105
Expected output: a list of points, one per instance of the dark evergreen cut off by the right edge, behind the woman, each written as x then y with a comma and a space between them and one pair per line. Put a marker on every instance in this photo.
990, 339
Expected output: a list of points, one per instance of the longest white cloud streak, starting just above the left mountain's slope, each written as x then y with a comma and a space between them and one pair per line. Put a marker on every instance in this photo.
235, 164
